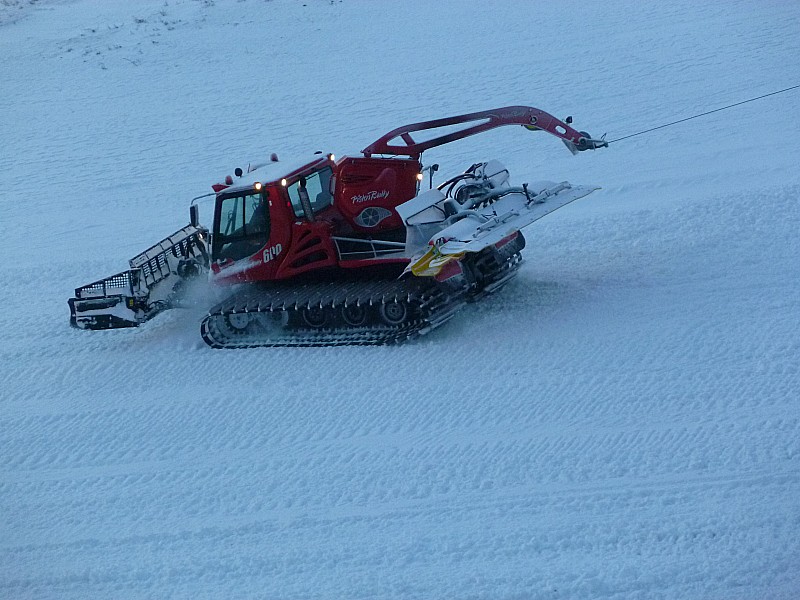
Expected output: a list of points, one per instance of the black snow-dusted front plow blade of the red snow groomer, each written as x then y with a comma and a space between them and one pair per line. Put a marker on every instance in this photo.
155, 282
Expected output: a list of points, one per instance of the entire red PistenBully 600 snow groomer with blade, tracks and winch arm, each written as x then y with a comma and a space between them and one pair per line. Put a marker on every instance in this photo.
327, 251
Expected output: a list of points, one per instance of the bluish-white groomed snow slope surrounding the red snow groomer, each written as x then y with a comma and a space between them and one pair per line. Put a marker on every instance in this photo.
621, 421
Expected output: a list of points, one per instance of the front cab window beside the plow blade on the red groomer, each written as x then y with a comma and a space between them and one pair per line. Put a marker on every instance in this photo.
241, 227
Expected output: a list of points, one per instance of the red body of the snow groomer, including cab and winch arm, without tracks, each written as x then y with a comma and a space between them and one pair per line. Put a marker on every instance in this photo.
347, 218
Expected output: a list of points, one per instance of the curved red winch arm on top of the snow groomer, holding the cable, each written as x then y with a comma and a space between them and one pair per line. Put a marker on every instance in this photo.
399, 142
